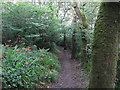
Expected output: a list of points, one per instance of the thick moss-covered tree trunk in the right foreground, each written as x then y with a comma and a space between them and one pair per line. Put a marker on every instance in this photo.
105, 47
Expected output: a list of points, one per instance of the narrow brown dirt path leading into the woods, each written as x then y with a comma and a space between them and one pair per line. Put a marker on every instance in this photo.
69, 75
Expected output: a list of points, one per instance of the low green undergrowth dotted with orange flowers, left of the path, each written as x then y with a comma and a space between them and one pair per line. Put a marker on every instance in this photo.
24, 67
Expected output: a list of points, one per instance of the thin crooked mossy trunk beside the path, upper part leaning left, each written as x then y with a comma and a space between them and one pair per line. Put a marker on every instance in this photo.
83, 22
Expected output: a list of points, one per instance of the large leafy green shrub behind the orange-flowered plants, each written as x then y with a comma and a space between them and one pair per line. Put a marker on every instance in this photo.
35, 24
